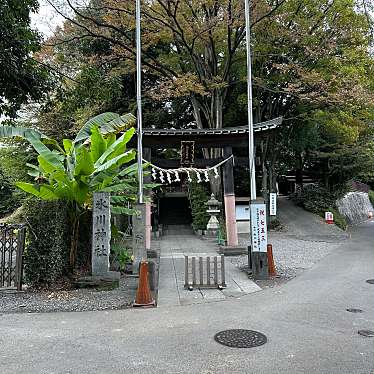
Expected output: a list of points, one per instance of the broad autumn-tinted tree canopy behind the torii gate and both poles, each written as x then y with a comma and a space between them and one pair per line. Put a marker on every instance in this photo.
312, 65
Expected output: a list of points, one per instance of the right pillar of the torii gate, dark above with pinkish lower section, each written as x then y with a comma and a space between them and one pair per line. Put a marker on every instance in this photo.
229, 199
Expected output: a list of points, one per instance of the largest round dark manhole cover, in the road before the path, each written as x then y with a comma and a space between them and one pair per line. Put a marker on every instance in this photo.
239, 338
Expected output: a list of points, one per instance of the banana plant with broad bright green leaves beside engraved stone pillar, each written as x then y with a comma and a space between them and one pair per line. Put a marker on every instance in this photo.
96, 160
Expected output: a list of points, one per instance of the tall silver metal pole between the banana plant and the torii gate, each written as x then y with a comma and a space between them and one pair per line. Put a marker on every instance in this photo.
139, 101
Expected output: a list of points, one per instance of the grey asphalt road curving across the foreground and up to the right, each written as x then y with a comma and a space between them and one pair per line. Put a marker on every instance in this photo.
306, 322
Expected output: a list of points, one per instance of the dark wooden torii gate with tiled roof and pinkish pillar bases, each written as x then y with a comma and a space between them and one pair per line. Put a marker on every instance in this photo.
226, 139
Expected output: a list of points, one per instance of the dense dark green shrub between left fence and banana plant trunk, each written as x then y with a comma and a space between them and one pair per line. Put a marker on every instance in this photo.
46, 254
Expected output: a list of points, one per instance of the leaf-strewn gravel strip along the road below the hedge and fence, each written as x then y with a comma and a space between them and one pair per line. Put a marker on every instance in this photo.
69, 301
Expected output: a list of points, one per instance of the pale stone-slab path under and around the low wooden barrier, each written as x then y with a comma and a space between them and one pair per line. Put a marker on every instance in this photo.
171, 284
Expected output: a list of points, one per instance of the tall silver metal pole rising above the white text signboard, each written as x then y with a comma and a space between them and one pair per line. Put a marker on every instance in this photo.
252, 170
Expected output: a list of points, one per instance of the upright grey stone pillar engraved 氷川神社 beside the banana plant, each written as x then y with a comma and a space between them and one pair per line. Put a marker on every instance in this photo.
100, 233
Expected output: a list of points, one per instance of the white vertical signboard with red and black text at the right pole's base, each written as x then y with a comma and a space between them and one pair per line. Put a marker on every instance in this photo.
258, 228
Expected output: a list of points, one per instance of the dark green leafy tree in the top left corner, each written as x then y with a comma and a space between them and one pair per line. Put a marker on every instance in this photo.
22, 78
